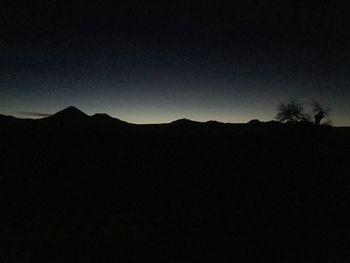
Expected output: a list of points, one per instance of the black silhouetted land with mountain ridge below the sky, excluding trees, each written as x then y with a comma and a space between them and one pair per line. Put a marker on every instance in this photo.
79, 188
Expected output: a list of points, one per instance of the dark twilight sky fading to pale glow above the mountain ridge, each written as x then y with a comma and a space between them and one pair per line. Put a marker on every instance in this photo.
157, 61
